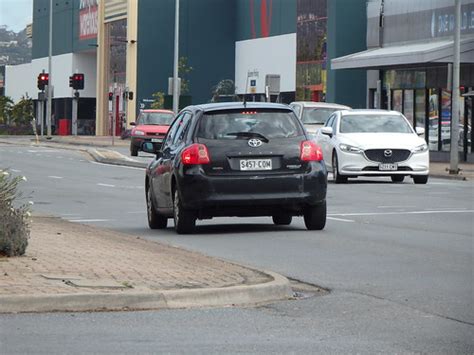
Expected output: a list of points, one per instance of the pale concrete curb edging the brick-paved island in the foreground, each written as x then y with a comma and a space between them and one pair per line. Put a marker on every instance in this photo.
277, 290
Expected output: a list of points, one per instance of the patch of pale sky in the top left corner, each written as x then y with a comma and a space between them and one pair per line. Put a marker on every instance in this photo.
16, 14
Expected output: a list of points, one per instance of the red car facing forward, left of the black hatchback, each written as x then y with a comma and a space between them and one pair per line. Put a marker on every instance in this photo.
151, 126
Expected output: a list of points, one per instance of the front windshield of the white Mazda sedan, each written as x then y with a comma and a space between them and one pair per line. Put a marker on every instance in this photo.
374, 124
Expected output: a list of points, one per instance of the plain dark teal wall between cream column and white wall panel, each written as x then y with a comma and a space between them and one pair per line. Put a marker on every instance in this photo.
207, 45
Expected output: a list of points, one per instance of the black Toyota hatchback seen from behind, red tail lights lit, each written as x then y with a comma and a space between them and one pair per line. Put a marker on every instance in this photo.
236, 159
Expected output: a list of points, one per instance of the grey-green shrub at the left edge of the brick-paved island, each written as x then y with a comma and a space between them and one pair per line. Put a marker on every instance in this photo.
14, 228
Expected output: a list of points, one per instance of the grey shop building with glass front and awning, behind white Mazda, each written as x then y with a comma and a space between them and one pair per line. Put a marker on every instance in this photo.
408, 62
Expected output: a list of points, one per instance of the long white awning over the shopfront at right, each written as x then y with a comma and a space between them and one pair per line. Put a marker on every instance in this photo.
419, 53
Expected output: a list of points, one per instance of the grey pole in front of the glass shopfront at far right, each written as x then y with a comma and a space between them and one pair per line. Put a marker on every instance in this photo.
454, 156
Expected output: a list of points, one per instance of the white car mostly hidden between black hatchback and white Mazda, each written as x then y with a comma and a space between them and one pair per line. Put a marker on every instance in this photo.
315, 114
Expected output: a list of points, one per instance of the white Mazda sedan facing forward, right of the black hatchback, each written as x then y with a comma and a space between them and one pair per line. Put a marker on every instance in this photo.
373, 143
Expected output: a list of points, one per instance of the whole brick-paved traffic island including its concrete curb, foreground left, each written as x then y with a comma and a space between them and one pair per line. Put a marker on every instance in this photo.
69, 266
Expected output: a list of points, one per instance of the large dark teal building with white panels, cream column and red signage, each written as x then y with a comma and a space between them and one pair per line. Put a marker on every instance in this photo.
125, 50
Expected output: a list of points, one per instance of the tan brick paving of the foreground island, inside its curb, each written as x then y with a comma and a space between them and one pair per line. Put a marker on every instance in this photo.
71, 254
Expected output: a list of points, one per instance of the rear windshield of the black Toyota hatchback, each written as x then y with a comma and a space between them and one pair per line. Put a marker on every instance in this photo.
244, 124
